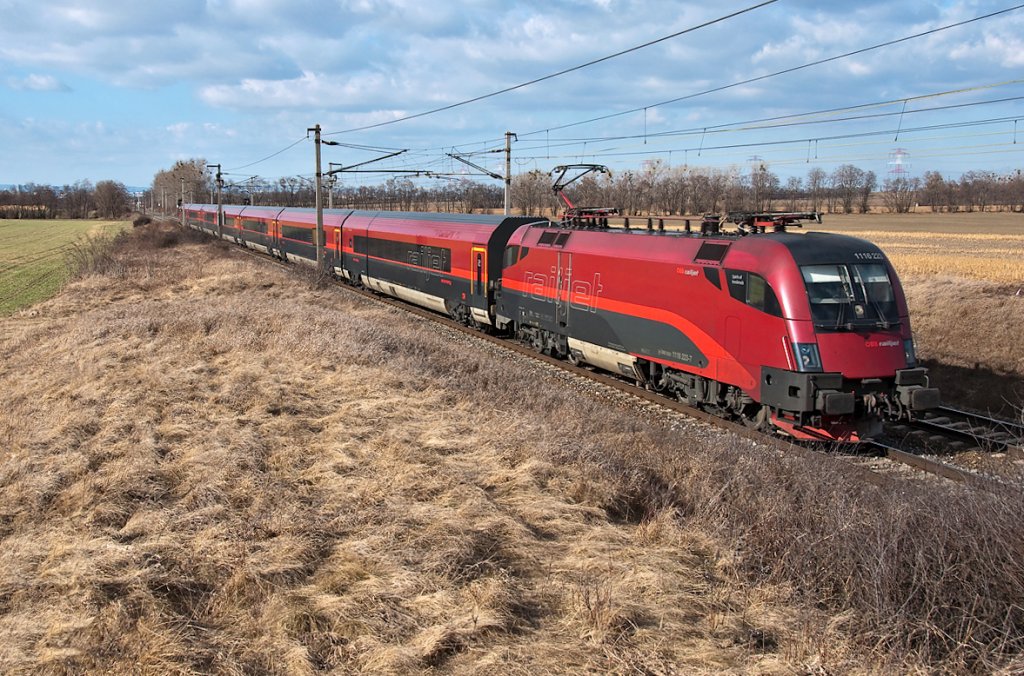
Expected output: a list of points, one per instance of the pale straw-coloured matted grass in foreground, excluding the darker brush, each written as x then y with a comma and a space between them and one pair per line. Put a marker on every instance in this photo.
209, 466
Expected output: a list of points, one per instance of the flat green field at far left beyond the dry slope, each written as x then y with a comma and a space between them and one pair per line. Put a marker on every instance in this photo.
33, 258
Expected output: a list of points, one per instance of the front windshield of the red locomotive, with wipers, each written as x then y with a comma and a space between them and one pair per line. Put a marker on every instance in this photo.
847, 297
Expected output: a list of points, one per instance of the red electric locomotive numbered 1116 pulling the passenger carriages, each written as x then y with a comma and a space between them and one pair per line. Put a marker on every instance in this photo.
808, 333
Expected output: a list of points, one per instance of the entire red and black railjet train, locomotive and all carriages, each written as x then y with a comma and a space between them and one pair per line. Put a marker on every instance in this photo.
807, 334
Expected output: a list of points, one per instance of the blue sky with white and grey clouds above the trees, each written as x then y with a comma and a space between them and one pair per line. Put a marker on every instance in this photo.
119, 91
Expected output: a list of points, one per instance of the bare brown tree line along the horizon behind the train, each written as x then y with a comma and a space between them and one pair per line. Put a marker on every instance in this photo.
657, 189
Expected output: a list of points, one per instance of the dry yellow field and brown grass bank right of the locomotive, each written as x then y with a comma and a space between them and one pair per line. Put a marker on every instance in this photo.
964, 277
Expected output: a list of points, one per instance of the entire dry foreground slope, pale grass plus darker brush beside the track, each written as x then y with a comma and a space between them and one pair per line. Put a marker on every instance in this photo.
210, 466
